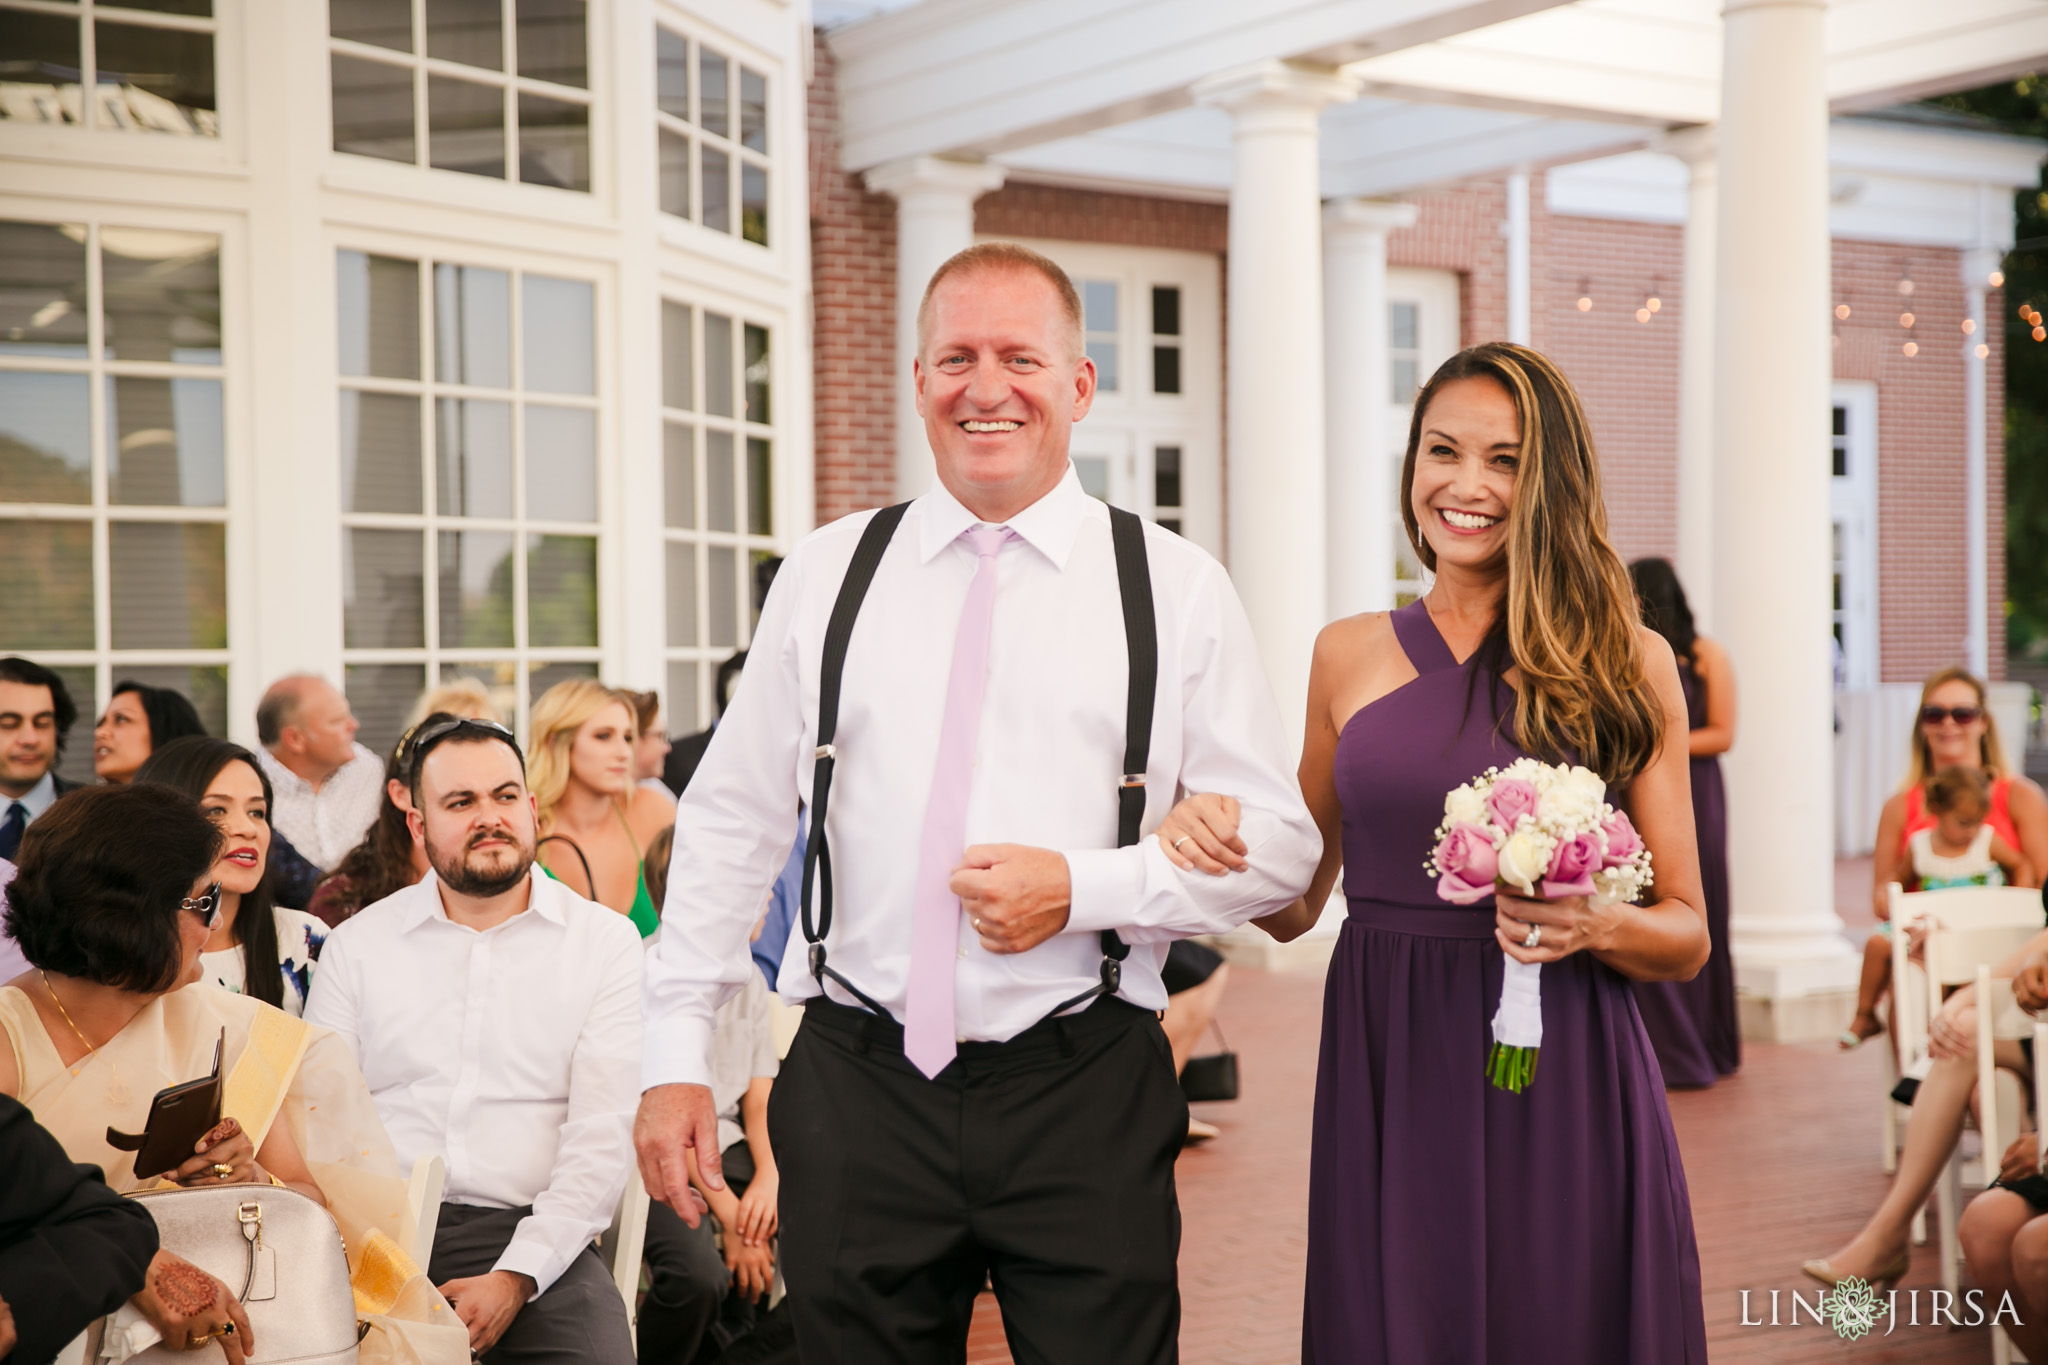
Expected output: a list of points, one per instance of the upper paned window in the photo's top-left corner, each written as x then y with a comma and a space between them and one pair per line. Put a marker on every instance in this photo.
148, 67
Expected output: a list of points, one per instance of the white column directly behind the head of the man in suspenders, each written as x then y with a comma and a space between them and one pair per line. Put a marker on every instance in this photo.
935, 220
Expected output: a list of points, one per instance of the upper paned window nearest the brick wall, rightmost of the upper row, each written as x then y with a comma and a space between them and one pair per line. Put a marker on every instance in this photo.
712, 124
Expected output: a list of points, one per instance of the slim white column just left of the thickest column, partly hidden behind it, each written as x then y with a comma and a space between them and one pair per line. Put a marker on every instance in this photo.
1697, 378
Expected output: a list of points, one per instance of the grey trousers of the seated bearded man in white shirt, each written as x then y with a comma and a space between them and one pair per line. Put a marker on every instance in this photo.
579, 1319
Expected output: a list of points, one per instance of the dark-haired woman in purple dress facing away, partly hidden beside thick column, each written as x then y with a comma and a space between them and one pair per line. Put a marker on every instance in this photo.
1693, 1024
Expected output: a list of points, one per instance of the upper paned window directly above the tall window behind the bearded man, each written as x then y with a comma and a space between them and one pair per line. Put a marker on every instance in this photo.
480, 87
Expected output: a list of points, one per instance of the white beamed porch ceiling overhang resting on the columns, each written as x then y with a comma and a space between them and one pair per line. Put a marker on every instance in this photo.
1099, 91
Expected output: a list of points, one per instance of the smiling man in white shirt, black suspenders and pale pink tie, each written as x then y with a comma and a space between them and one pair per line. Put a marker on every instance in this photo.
980, 1088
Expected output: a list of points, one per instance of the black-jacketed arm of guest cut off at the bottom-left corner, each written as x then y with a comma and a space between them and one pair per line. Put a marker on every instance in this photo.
71, 1249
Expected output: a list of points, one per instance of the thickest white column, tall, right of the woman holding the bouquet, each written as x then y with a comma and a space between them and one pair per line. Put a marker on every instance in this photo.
1773, 371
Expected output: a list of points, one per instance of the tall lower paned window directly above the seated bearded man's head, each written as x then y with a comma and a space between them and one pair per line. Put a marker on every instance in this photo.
470, 482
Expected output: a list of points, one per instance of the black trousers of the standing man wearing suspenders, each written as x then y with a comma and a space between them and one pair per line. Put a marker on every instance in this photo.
1041, 1165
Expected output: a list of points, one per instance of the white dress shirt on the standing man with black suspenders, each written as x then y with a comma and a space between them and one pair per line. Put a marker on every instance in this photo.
1048, 766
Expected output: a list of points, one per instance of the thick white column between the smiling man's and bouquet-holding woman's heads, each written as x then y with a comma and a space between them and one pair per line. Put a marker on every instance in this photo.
1275, 431
